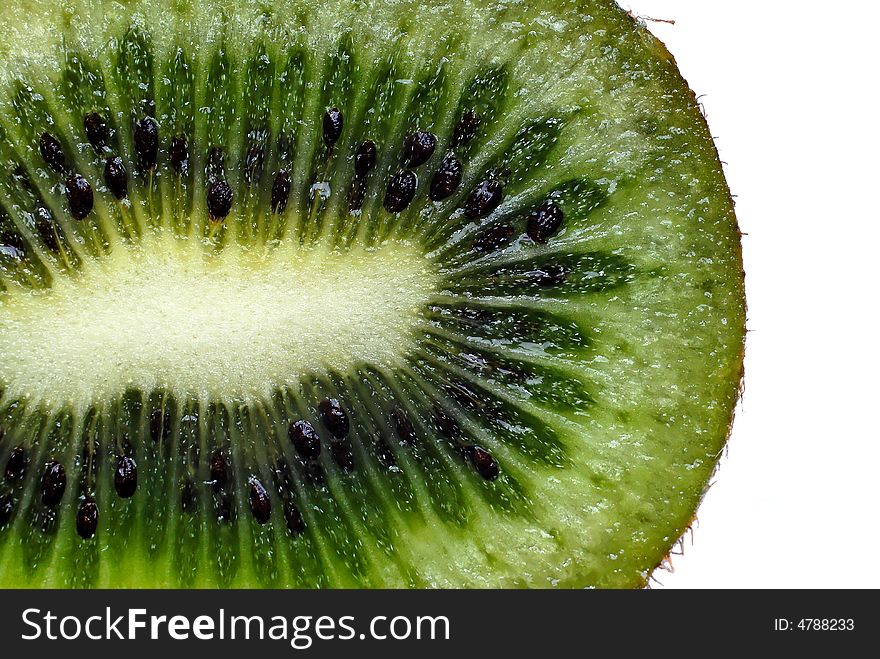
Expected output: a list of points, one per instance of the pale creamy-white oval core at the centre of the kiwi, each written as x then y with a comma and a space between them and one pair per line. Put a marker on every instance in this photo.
229, 325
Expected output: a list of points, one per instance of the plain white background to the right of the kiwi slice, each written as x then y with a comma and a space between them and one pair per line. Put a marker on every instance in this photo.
790, 89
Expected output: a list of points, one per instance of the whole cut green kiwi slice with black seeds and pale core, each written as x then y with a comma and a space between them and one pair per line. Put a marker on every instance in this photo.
303, 293
